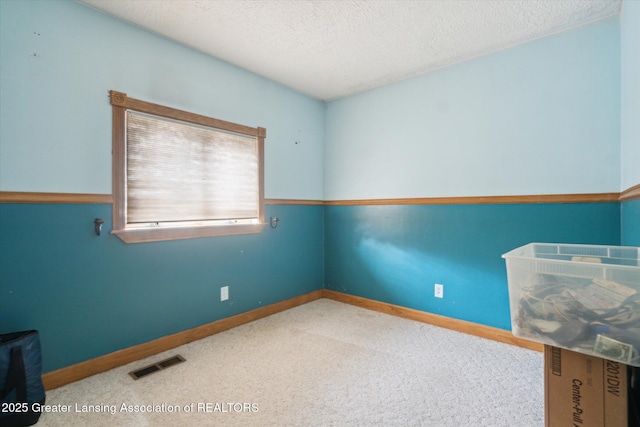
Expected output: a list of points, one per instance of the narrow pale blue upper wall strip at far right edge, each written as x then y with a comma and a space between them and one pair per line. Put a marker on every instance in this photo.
630, 122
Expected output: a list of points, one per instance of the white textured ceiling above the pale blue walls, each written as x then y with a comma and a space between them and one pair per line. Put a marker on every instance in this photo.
329, 49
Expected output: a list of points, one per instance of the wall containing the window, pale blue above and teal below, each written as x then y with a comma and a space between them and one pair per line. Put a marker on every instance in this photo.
93, 295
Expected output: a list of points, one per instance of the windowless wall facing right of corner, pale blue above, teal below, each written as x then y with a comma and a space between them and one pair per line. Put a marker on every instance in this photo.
538, 118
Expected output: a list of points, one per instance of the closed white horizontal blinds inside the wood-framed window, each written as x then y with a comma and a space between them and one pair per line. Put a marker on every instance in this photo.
182, 172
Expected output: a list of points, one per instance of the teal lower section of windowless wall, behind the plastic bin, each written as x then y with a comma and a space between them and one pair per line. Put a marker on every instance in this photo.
397, 253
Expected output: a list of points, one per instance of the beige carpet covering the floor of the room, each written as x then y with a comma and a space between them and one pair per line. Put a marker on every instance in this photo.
321, 364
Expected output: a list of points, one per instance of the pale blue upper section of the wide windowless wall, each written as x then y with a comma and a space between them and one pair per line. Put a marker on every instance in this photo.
539, 118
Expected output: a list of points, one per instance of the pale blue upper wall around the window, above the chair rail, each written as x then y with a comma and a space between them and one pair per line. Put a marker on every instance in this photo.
58, 60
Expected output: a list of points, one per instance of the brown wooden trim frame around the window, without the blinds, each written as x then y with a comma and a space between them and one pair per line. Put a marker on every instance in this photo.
120, 103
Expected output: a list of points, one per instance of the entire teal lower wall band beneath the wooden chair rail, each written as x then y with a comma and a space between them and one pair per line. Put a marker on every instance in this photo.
90, 295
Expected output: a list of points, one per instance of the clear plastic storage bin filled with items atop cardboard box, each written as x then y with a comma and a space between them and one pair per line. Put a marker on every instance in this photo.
584, 298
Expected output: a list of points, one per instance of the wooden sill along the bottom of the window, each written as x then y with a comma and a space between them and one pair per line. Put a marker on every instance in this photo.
177, 233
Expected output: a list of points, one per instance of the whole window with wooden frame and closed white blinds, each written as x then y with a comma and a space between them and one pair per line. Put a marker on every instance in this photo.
179, 175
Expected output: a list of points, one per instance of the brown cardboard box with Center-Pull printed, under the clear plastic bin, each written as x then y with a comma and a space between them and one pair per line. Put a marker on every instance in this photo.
584, 390
